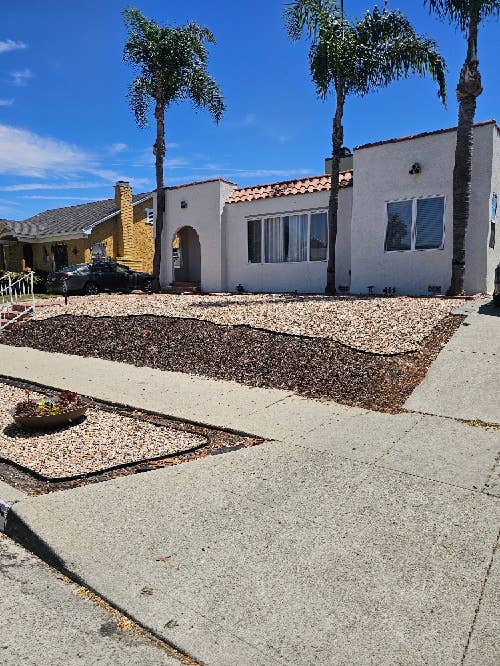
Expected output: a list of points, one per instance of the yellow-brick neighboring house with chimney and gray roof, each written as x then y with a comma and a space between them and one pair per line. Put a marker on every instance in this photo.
120, 229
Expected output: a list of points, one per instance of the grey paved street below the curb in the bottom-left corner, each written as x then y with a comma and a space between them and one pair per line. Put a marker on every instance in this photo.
46, 620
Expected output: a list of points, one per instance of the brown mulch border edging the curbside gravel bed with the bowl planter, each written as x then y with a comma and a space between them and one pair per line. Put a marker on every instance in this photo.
217, 442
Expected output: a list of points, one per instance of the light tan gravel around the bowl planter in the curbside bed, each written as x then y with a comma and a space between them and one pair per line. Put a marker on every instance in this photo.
101, 441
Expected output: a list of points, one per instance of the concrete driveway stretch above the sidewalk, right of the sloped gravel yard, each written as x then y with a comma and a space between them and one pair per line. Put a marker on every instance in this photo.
463, 382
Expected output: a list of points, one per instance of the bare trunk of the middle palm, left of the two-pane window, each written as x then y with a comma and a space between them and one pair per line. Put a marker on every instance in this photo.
333, 204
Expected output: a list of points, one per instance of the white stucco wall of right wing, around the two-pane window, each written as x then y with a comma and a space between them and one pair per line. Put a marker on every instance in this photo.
381, 174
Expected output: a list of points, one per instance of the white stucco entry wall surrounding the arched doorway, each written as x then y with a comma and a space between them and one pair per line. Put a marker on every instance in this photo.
205, 202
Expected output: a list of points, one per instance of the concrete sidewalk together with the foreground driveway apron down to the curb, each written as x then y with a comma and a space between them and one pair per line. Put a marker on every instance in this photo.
353, 538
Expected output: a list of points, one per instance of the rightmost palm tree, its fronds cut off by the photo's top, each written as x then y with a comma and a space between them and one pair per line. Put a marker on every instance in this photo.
467, 14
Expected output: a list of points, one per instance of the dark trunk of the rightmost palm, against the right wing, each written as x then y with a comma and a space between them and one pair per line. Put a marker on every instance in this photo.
468, 90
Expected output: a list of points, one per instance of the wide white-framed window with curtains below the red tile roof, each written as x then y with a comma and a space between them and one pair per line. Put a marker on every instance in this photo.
288, 238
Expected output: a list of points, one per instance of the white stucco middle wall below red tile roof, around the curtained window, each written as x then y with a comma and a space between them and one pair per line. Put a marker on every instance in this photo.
304, 277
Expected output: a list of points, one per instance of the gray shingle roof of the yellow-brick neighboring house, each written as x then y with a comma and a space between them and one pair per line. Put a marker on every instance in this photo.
67, 220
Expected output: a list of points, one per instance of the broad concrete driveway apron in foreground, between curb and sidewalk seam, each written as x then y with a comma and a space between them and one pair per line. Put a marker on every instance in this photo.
281, 554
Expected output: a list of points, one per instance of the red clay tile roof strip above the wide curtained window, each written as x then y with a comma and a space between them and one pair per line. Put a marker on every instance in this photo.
287, 187
